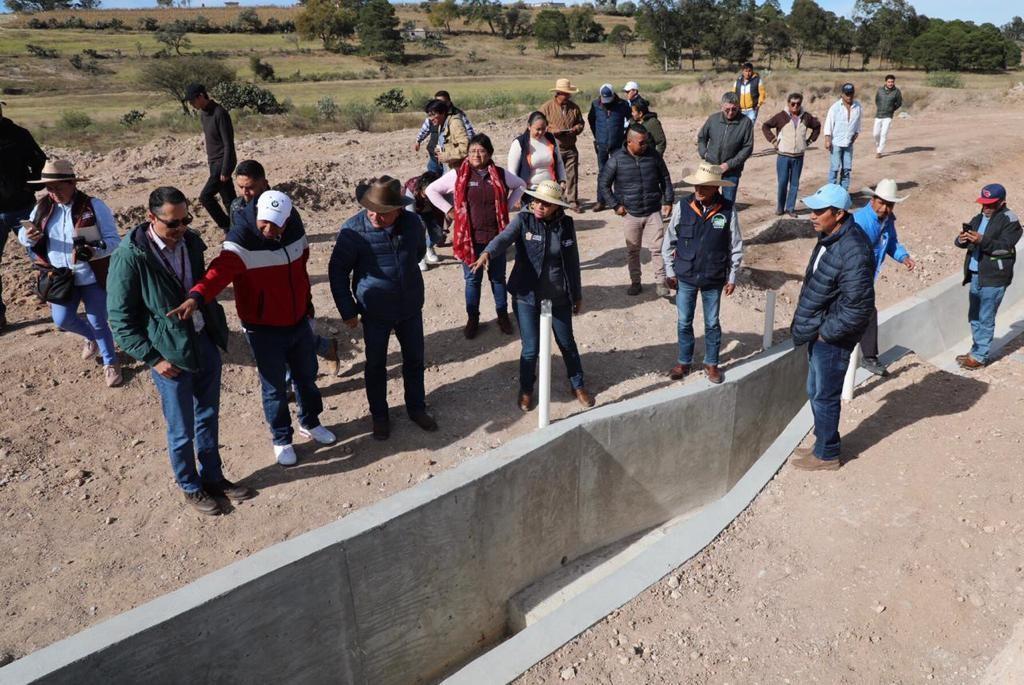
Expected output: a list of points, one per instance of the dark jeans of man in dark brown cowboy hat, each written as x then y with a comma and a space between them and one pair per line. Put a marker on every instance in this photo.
376, 335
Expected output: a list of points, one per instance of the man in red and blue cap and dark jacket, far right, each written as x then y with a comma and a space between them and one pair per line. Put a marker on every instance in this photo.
991, 241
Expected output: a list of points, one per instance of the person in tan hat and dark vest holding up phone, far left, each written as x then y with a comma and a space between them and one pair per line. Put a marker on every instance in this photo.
69, 230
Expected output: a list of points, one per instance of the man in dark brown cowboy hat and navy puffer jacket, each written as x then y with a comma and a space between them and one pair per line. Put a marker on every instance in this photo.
375, 279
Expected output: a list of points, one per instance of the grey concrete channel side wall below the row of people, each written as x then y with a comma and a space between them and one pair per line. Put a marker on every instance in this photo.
418, 584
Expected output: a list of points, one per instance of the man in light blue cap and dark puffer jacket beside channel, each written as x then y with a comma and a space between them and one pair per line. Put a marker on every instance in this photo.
836, 303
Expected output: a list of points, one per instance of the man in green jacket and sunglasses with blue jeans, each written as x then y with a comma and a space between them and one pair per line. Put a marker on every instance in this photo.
151, 274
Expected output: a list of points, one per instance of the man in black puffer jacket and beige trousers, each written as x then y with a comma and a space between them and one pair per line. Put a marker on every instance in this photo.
636, 183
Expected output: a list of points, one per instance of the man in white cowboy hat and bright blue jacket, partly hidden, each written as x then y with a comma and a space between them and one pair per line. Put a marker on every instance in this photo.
879, 224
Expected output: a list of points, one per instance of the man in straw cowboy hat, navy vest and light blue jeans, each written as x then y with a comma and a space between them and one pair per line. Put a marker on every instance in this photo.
703, 251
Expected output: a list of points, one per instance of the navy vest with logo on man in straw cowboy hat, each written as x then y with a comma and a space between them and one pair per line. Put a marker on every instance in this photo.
704, 243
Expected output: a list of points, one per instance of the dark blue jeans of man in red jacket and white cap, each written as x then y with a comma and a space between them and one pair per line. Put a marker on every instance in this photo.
277, 351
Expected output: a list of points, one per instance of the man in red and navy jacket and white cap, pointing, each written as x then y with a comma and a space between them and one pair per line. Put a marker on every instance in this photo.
266, 258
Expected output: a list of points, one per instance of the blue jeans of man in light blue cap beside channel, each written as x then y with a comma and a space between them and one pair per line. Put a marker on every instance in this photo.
827, 369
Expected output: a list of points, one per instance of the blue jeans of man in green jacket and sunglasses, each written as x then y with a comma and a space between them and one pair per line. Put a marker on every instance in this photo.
192, 405
